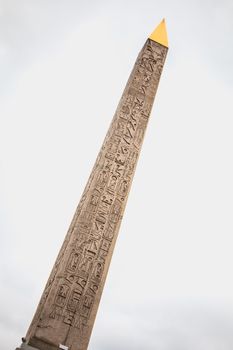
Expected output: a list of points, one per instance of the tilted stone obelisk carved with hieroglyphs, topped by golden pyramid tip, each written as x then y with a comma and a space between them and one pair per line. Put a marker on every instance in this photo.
66, 313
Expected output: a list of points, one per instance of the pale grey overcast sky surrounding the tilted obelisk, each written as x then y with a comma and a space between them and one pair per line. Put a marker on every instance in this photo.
63, 68
